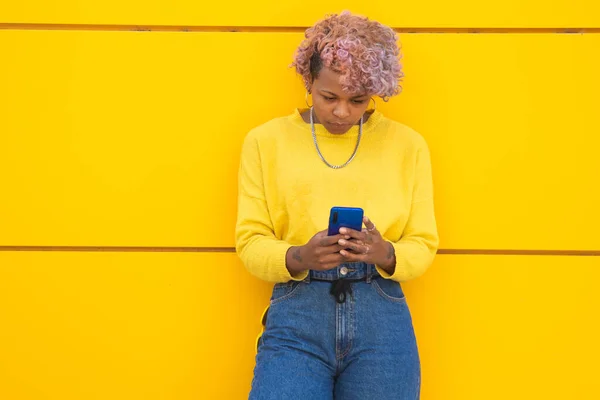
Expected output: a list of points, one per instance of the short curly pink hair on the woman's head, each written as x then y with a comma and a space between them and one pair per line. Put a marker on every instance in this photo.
365, 53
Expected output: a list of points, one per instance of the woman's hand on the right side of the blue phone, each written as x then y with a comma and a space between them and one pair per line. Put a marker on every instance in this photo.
368, 246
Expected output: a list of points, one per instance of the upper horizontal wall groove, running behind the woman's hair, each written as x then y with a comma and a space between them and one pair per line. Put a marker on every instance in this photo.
276, 29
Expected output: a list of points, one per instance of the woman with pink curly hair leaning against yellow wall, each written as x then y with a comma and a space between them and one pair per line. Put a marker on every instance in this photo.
338, 325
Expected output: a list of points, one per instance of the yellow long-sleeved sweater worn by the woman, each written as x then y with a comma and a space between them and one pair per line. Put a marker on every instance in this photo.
285, 191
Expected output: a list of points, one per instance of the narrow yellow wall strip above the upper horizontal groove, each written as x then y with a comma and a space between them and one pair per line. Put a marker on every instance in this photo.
261, 13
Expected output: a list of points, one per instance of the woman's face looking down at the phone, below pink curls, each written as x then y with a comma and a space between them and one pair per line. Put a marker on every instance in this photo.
334, 108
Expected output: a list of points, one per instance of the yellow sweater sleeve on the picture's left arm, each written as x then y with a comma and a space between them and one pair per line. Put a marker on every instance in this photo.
261, 252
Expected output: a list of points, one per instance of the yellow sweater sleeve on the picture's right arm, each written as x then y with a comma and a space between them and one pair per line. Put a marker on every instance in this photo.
419, 242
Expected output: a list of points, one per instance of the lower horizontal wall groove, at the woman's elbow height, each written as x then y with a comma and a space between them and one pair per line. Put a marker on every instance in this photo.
154, 249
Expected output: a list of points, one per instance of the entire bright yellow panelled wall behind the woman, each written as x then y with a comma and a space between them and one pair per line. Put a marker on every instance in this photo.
114, 137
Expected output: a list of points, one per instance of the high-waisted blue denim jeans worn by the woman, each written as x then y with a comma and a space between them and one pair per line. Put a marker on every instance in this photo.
315, 347
